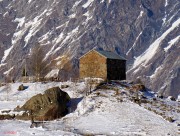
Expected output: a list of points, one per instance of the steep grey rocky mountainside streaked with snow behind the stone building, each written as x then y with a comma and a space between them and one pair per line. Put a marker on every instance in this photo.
146, 32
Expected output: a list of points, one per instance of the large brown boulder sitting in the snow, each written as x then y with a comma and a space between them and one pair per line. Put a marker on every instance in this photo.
48, 106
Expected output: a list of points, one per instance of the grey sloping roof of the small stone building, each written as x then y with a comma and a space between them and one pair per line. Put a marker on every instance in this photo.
110, 55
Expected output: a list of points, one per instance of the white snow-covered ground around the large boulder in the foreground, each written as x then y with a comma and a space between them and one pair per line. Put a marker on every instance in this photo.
104, 112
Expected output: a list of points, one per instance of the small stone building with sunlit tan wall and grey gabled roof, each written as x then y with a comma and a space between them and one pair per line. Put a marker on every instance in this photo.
102, 64
